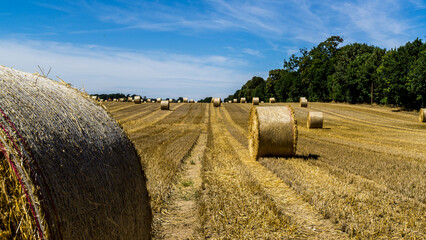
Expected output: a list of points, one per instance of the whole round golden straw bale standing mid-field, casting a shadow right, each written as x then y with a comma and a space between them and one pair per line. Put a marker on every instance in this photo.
272, 132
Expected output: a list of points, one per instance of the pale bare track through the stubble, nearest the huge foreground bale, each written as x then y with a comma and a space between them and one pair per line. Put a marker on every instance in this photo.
181, 221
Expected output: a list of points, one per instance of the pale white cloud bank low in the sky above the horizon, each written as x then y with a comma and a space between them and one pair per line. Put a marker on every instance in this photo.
103, 69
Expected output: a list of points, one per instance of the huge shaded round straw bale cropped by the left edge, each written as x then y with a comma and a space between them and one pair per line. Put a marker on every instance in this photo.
68, 169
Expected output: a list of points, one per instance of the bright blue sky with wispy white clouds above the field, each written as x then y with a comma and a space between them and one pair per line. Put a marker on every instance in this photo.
187, 48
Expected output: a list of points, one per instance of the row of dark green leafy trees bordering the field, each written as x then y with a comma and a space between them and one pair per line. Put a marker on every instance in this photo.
354, 73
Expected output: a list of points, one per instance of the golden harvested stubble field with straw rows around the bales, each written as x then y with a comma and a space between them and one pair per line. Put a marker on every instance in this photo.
360, 176
